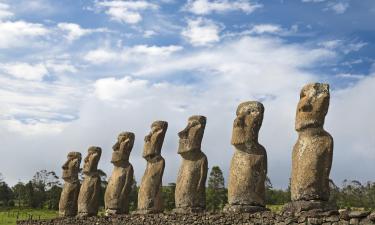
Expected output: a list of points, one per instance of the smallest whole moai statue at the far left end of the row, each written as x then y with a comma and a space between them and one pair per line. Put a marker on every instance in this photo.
68, 205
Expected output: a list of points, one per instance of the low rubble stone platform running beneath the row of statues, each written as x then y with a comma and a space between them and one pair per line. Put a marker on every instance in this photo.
264, 218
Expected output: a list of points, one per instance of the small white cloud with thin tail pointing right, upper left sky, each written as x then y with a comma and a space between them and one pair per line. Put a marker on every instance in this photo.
75, 31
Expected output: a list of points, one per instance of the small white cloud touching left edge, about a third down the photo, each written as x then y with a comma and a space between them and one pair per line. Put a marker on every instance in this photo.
25, 70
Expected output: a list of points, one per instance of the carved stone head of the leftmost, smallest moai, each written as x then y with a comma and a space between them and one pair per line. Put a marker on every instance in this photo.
71, 166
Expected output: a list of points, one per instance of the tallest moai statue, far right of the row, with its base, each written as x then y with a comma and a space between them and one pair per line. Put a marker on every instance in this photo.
312, 154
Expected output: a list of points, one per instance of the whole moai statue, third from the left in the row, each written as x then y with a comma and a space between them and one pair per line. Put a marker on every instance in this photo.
116, 196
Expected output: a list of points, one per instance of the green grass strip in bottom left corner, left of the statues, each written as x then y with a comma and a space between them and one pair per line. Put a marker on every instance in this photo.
10, 216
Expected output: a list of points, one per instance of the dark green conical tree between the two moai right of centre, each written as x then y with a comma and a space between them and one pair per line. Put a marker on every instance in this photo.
216, 193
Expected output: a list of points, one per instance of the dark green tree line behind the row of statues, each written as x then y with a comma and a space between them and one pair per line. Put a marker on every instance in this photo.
44, 189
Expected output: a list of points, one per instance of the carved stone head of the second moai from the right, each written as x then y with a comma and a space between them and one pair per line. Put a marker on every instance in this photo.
247, 123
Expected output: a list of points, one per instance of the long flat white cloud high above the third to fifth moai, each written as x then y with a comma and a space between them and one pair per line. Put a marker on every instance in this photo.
132, 54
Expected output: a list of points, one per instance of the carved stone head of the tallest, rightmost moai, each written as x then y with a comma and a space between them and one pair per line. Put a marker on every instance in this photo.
312, 106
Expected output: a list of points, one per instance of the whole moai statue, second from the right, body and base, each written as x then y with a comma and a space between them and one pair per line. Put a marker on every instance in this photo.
248, 170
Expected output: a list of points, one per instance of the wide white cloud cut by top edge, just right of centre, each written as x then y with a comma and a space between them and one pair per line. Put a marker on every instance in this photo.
204, 7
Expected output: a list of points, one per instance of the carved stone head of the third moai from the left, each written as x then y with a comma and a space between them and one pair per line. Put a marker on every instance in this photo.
122, 148
